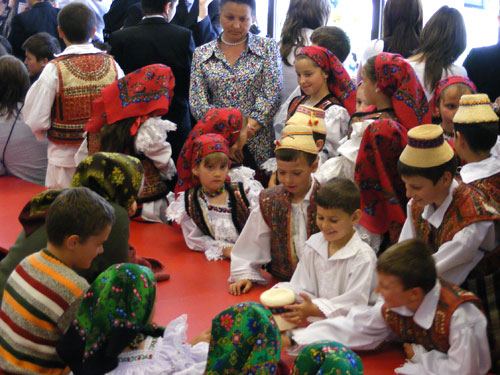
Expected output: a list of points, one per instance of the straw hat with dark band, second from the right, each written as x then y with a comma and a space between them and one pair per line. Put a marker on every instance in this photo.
426, 147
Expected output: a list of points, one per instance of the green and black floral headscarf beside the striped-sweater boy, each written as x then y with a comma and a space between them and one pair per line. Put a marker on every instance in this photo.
114, 312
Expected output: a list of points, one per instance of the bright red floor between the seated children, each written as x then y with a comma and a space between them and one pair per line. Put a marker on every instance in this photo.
197, 287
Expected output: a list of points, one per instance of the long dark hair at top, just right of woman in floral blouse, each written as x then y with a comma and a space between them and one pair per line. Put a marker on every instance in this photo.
301, 14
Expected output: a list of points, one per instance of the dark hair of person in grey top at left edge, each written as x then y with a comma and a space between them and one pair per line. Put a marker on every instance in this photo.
14, 84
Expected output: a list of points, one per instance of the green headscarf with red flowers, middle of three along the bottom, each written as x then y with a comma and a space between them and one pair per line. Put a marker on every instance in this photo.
245, 340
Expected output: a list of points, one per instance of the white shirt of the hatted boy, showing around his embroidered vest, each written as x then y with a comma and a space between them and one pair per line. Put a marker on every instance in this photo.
253, 247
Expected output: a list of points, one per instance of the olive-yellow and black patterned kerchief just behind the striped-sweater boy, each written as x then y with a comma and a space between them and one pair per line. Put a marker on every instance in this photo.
115, 177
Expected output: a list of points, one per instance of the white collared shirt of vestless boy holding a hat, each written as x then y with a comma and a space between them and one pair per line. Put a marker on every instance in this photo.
334, 283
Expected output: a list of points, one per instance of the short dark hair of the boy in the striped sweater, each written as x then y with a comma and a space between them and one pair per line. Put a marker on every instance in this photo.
77, 211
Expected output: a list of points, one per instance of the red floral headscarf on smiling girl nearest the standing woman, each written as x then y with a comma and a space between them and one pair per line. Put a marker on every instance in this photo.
339, 81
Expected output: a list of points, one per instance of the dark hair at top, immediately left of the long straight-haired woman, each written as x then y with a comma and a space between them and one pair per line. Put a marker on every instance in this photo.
402, 26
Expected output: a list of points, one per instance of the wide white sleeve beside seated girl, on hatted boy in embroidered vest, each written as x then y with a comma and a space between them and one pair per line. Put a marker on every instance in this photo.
251, 250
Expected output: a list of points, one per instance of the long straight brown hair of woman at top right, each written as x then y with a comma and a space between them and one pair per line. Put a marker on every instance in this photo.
443, 40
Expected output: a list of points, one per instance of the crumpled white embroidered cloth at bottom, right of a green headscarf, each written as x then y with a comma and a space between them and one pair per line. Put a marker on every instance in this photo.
167, 355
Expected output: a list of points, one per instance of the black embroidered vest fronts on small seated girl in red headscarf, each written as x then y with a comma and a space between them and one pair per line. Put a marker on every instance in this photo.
238, 204
